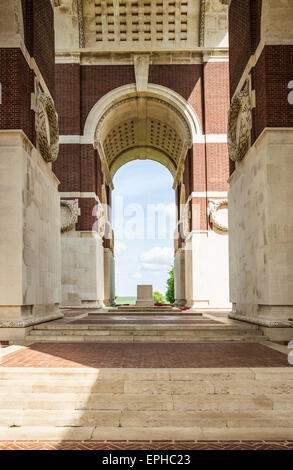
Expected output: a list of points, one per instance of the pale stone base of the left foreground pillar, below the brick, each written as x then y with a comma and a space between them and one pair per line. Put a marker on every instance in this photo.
29, 239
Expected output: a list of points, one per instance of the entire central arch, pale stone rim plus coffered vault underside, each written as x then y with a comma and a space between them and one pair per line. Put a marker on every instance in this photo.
157, 124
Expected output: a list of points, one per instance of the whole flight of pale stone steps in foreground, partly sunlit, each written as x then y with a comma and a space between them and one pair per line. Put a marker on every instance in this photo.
150, 404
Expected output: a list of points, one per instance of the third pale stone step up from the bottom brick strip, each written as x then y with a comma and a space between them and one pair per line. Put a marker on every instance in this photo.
132, 402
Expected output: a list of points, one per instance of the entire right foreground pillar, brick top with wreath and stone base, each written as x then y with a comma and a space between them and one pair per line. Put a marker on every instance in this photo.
260, 138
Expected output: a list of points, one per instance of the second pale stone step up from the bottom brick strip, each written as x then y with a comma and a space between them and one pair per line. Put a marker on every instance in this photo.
130, 418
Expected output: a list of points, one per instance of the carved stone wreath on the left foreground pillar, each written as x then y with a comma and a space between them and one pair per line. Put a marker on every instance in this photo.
47, 129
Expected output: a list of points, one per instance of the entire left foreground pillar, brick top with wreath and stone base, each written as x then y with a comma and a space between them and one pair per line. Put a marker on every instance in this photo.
29, 141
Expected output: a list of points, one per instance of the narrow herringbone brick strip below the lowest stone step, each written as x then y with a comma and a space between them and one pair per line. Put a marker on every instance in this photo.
146, 445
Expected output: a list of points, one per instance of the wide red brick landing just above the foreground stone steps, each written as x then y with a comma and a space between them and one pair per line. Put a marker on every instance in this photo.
146, 355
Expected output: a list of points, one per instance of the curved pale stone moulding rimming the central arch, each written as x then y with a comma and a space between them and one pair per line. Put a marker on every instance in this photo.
127, 91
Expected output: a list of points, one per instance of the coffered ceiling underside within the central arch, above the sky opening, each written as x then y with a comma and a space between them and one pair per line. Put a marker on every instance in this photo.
152, 133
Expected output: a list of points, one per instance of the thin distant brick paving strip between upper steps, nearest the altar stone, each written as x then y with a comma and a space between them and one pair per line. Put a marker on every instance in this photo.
145, 320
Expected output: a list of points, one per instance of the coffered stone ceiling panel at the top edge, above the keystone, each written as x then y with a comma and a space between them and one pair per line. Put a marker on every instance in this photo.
149, 22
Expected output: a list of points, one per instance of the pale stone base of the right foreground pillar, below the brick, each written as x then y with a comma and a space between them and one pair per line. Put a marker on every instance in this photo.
261, 230
